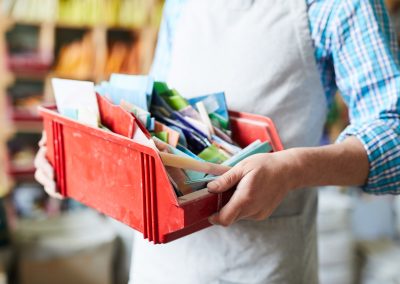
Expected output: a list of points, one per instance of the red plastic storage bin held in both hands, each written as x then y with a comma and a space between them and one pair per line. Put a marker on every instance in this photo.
126, 180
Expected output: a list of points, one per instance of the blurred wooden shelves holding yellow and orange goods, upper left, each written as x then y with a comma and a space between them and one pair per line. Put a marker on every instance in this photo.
83, 40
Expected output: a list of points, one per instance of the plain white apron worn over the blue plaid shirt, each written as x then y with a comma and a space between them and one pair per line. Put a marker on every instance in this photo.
260, 53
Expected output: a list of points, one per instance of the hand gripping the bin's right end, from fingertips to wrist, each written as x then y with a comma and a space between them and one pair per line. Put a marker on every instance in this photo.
262, 181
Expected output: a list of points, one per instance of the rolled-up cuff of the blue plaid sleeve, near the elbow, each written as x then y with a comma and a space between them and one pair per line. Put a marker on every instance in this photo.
381, 140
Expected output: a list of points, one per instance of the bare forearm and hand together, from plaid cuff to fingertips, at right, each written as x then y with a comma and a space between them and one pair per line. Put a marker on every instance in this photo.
264, 180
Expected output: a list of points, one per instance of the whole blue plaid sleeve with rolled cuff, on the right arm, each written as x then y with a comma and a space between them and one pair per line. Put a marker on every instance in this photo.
366, 61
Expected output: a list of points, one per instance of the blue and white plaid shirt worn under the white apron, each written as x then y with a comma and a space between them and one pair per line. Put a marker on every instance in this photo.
357, 54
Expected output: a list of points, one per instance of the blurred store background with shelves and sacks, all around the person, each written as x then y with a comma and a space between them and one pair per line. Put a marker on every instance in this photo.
43, 240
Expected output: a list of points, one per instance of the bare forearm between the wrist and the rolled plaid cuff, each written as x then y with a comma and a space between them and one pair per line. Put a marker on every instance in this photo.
345, 163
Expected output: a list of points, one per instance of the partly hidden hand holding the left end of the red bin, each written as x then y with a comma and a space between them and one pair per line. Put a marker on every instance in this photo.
44, 171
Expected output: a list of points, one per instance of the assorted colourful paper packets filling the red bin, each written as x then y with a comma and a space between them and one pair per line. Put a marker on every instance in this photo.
192, 136
